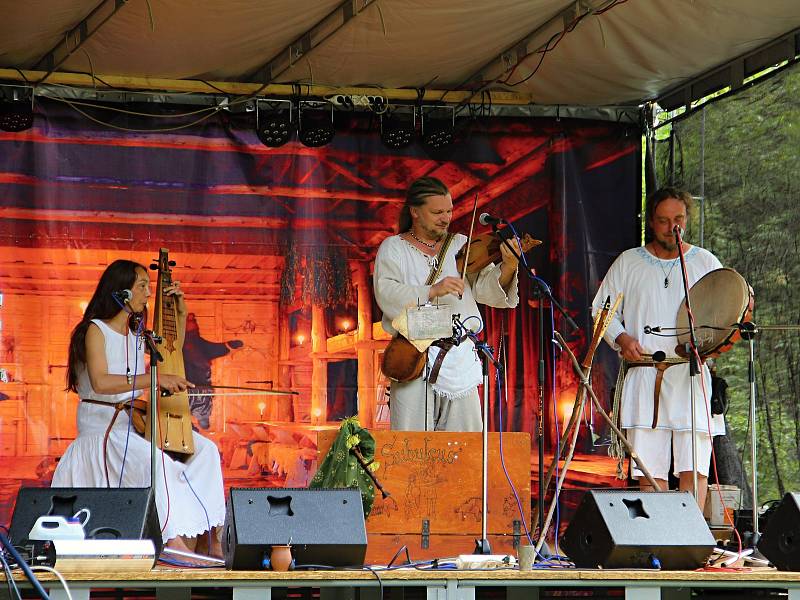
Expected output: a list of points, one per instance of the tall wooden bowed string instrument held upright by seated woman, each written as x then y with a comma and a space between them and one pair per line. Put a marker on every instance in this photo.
174, 414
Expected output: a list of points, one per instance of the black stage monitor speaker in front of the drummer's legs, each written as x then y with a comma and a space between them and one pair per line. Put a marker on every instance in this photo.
618, 529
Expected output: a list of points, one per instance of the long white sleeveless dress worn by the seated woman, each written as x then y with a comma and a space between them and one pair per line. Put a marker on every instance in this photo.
190, 498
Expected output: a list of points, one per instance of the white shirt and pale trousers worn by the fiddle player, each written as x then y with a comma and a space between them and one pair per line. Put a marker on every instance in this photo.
401, 271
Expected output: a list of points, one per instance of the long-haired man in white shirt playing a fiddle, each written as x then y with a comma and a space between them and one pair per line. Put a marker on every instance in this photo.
402, 266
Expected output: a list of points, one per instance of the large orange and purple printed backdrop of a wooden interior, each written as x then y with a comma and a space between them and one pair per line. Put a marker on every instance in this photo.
274, 248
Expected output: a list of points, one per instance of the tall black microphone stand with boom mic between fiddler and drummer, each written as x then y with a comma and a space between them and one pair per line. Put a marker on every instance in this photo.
540, 291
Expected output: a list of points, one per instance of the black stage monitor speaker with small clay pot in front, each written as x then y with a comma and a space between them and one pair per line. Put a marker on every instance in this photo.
323, 526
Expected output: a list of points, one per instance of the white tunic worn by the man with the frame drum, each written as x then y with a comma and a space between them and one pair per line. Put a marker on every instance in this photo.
639, 276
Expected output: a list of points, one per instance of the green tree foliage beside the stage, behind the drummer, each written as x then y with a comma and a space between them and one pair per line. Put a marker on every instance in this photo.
741, 153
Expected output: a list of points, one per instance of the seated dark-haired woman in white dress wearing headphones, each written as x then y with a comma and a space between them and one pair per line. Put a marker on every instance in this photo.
107, 370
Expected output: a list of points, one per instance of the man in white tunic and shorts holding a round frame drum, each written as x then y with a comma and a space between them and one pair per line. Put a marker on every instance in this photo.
655, 400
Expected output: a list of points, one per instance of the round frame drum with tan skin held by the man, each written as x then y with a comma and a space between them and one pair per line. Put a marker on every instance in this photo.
720, 300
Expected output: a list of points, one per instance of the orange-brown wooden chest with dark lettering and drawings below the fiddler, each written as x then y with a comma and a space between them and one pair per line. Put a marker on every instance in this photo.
434, 482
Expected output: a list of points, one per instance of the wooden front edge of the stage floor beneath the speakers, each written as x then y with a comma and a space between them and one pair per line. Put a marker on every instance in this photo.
443, 584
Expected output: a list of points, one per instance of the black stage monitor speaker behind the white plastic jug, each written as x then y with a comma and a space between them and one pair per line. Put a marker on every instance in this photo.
114, 513
